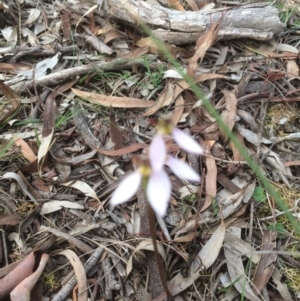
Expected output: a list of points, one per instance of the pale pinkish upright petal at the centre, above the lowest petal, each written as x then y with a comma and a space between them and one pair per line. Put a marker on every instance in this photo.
157, 153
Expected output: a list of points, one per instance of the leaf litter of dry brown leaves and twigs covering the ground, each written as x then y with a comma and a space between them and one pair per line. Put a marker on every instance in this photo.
58, 170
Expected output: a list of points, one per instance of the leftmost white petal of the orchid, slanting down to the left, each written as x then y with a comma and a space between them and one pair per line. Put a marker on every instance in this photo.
126, 189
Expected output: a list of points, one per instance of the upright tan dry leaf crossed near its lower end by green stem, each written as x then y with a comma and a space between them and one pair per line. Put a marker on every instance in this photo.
229, 113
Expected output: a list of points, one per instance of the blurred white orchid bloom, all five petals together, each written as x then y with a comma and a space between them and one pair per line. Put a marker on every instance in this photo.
158, 187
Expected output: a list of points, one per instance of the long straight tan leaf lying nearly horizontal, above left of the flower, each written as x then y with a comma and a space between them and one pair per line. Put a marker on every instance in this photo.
114, 101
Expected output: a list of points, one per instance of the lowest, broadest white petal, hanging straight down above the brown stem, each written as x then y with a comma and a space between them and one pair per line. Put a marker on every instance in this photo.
159, 192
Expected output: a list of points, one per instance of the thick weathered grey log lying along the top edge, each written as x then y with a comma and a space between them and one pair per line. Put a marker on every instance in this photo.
259, 21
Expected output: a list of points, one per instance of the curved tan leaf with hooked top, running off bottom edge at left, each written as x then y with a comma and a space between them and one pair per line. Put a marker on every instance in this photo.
79, 273
